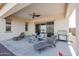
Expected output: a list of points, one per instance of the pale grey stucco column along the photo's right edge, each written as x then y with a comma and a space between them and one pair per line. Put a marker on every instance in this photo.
77, 29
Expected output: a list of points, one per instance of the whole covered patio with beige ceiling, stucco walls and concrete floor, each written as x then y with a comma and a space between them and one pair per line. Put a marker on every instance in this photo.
35, 19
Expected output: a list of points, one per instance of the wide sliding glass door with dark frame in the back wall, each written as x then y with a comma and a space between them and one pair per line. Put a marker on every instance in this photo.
47, 28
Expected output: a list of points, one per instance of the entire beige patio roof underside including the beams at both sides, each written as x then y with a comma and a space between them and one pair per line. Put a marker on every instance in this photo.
24, 10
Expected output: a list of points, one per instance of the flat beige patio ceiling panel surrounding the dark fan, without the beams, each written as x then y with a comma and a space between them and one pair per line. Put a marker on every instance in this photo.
43, 9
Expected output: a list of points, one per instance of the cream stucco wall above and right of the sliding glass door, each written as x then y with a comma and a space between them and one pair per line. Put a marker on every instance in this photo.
60, 23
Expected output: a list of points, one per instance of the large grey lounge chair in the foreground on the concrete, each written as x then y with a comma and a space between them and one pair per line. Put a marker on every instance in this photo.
50, 42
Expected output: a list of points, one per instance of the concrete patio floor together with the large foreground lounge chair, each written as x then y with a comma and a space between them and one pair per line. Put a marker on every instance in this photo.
31, 45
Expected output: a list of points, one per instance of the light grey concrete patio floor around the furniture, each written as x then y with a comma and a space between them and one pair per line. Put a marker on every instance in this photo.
24, 48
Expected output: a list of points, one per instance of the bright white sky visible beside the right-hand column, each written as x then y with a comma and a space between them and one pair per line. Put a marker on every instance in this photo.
72, 19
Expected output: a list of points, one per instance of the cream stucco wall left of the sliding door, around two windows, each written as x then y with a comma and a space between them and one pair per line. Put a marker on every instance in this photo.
18, 26
